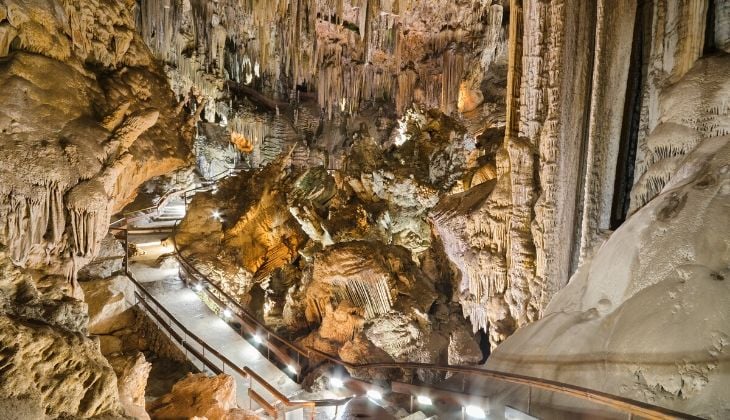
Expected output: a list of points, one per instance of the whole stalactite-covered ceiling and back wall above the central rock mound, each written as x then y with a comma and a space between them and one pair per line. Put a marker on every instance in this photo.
318, 66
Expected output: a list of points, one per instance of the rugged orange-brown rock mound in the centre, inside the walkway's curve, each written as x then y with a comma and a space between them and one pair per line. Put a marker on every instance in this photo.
344, 261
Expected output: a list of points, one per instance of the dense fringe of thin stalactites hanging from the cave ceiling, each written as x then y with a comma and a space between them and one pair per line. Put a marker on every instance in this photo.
312, 43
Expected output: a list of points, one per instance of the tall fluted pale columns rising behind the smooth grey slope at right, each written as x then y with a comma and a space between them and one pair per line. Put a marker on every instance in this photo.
555, 174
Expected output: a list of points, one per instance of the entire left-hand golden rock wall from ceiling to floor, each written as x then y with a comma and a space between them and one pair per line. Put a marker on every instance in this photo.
86, 117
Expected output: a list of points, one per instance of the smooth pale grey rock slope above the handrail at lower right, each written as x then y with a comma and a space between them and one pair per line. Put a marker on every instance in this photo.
647, 316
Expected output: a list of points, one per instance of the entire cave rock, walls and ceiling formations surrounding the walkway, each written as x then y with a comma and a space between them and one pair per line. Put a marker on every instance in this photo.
405, 180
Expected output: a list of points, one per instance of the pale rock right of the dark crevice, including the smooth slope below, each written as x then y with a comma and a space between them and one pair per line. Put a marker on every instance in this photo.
645, 316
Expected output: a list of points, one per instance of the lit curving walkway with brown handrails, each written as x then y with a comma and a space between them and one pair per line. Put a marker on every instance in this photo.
157, 269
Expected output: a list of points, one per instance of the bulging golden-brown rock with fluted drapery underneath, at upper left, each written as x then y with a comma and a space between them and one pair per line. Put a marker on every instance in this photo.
87, 118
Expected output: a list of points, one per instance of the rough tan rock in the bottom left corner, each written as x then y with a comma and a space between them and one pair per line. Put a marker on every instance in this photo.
47, 361
